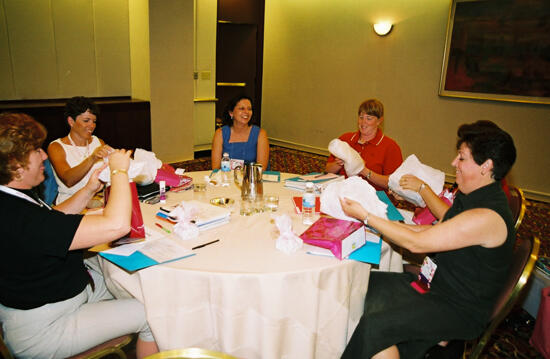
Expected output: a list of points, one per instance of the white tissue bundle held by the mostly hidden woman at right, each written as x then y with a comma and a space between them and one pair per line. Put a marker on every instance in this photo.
412, 165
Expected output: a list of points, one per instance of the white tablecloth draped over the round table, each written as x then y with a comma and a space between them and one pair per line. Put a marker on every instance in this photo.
242, 296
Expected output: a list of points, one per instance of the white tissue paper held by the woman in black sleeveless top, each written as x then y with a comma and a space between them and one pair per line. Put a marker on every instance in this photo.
353, 188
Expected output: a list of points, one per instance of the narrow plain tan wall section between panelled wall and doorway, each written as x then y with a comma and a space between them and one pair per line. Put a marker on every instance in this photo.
171, 59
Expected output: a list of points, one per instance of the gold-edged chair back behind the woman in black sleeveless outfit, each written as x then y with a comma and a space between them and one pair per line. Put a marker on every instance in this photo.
523, 261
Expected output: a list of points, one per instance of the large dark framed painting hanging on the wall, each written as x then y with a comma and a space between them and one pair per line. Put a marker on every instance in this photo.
498, 50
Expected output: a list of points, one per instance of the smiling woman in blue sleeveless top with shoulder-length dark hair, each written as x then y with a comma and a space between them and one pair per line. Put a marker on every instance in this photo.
238, 137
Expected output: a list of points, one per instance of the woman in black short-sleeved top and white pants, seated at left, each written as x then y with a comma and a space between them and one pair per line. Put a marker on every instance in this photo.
51, 305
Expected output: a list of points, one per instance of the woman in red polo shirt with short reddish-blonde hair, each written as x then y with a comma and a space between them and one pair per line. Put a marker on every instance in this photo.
381, 154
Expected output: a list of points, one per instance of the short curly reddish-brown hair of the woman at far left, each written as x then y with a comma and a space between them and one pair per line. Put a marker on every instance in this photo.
19, 135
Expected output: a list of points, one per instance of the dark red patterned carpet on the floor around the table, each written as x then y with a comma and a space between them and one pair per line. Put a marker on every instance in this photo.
511, 338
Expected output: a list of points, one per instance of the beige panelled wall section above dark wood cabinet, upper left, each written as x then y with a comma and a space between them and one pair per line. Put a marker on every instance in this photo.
63, 48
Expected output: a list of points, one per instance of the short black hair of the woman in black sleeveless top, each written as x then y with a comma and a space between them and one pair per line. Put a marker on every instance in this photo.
486, 140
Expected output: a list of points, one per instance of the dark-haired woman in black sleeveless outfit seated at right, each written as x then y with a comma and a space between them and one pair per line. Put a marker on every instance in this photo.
404, 317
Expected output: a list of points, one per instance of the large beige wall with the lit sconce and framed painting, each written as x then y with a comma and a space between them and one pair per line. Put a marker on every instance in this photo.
322, 58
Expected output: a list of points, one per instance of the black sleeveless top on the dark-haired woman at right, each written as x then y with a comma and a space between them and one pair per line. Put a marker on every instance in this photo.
472, 277
